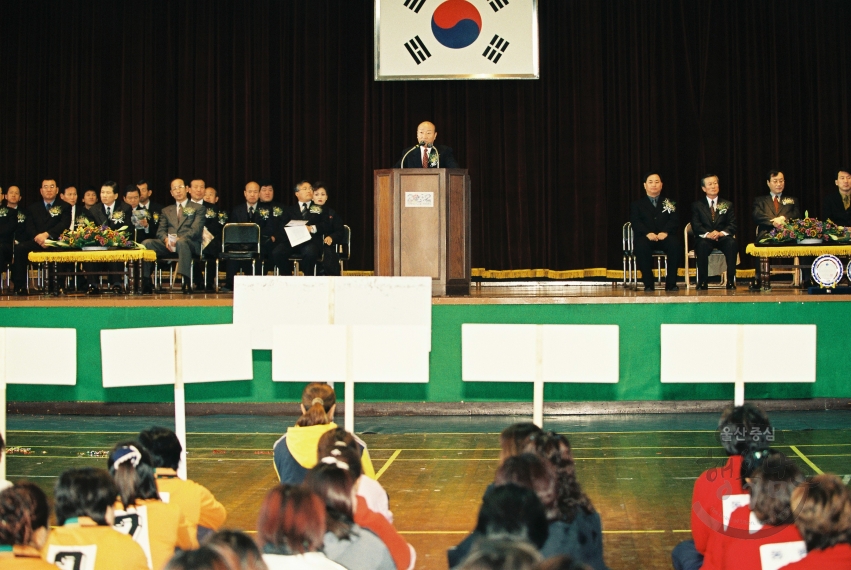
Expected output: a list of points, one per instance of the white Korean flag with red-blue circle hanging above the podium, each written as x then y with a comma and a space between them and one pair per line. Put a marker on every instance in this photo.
456, 39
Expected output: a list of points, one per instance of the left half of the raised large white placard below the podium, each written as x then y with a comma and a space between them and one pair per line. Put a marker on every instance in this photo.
262, 302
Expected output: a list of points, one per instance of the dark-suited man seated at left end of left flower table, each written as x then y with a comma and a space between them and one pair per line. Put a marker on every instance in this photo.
45, 220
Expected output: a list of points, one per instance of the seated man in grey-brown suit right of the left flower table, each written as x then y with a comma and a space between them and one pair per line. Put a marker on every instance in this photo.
184, 221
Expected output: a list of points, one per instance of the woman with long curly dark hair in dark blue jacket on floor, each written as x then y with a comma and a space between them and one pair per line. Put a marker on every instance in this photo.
578, 526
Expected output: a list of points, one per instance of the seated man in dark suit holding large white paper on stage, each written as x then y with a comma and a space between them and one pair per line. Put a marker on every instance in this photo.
297, 231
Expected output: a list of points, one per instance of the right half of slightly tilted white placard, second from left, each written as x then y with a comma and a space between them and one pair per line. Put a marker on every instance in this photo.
204, 347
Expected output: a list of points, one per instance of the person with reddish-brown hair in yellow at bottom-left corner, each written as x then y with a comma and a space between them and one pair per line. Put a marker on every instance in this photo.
23, 528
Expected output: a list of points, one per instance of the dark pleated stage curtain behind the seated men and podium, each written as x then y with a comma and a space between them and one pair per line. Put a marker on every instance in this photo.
231, 91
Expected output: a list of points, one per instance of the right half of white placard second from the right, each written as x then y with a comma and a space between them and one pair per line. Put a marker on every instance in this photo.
581, 353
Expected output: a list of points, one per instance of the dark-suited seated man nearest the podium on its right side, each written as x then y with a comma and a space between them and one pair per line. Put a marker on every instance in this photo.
656, 226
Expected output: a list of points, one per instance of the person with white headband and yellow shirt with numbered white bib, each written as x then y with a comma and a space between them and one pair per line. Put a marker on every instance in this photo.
159, 528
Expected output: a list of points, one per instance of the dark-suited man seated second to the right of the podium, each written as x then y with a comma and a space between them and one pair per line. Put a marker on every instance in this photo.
714, 225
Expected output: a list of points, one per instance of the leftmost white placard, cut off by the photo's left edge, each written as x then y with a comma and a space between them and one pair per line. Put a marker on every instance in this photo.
41, 356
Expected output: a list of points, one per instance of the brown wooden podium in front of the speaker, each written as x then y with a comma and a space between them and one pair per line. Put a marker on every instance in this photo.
422, 226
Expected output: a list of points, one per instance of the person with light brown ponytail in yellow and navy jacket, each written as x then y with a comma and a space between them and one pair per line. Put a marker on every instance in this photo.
295, 451
